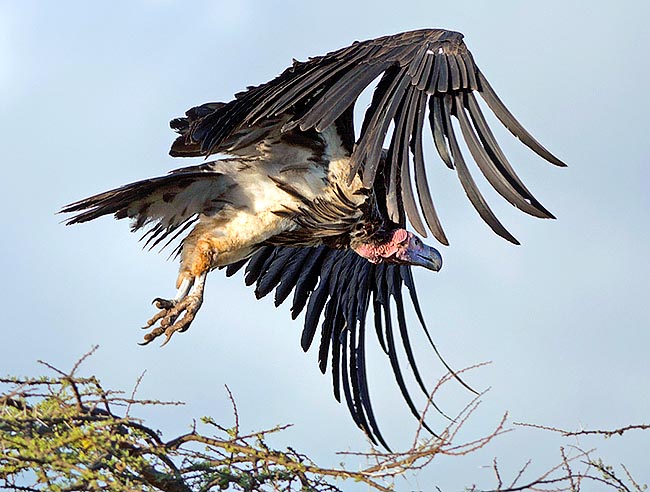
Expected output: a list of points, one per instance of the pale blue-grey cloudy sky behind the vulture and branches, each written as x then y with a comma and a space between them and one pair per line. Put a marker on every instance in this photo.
85, 96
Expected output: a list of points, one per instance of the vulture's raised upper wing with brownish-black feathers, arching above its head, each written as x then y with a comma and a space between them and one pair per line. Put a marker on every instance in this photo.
421, 70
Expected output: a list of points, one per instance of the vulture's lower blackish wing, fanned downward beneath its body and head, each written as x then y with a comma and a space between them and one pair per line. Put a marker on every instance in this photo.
335, 288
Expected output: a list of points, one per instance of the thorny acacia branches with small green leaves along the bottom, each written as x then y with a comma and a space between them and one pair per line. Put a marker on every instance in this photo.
65, 432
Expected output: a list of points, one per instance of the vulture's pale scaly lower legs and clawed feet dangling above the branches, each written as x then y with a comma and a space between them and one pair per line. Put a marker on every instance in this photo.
186, 303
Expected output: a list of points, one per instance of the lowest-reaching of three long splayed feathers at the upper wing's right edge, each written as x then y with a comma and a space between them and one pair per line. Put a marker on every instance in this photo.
467, 181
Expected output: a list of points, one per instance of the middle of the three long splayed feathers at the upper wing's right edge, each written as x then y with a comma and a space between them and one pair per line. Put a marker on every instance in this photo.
487, 166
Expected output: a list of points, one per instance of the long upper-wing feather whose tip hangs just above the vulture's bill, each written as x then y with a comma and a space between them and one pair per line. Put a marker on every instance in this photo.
426, 202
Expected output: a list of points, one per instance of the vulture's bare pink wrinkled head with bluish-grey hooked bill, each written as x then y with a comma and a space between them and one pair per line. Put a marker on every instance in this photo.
400, 247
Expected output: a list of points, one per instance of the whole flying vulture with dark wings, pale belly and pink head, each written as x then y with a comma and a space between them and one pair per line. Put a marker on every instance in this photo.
312, 210
